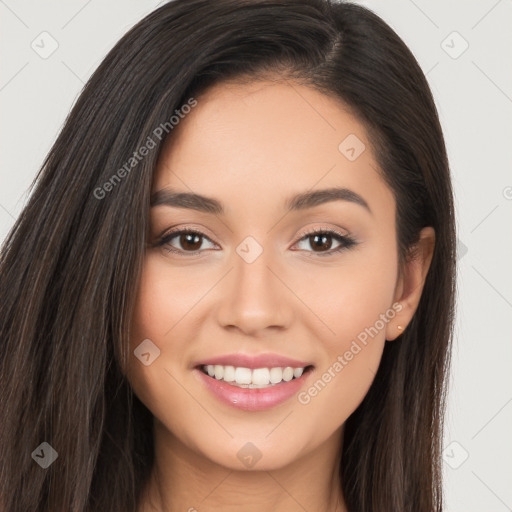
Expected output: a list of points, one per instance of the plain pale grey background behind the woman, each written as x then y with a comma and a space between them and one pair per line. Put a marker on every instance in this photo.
473, 90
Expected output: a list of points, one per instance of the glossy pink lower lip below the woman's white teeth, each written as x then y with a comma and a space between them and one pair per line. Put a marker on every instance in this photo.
253, 399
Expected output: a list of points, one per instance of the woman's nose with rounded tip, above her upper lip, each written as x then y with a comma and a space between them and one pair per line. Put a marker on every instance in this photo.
254, 298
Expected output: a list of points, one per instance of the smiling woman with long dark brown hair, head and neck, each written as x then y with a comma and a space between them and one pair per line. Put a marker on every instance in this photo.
232, 287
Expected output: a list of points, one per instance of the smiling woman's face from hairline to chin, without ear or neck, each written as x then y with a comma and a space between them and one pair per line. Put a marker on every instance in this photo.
253, 287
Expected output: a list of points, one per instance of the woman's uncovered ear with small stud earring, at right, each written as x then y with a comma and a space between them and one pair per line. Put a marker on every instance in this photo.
411, 281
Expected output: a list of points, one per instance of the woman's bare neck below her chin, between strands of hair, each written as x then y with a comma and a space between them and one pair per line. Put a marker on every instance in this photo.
183, 480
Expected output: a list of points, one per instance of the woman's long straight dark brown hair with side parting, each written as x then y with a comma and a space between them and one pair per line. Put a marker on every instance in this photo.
70, 267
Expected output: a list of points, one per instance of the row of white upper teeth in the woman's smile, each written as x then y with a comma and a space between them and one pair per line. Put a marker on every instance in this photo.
257, 378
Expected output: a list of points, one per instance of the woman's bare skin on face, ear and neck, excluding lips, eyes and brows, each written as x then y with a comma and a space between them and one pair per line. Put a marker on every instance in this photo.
252, 146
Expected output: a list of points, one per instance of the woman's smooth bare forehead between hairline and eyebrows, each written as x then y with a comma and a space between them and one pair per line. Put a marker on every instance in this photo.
256, 143
